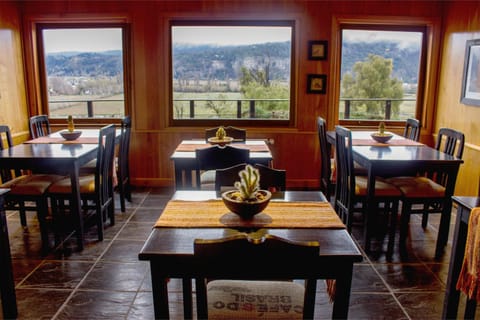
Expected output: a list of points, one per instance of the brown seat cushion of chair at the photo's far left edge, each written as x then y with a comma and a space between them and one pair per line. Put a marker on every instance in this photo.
36, 184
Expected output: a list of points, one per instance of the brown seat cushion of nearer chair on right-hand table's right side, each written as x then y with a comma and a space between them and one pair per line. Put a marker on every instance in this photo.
418, 187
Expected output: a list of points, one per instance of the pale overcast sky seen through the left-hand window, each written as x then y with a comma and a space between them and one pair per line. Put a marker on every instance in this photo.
90, 40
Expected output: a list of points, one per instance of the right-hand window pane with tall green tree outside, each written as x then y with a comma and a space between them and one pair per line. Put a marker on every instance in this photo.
381, 72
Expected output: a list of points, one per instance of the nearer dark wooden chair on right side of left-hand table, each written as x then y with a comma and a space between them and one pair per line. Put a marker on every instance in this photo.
96, 188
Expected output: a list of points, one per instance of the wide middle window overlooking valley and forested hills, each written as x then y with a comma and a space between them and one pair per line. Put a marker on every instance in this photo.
231, 72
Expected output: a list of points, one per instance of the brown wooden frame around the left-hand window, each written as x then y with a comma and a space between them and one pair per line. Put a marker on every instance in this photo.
43, 77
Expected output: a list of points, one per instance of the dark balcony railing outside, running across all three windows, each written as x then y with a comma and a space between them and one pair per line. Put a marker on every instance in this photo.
232, 108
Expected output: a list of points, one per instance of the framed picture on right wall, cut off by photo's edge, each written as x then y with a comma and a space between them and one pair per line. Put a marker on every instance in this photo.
471, 74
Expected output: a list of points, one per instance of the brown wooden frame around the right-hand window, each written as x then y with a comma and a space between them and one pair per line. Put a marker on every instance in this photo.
427, 68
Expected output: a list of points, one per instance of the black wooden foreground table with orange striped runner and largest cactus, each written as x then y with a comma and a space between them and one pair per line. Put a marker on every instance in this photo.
169, 249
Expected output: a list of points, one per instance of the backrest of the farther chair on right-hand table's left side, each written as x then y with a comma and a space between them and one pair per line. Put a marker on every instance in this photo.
326, 169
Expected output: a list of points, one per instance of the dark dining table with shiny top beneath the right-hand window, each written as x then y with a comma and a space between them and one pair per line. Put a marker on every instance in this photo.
403, 157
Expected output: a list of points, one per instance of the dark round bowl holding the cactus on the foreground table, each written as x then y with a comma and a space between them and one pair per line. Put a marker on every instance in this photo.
246, 209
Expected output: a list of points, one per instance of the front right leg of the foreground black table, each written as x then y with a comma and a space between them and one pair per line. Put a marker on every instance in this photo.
342, 293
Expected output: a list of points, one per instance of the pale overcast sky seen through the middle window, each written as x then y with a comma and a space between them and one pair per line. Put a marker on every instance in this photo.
229, 35
